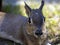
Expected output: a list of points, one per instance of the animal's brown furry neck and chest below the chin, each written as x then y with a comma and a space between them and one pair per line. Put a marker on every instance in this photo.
31, 40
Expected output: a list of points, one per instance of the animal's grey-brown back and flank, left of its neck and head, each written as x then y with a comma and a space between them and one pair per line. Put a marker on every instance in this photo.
11, 25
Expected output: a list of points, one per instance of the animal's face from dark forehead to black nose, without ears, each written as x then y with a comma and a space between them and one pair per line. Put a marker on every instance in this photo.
35, 25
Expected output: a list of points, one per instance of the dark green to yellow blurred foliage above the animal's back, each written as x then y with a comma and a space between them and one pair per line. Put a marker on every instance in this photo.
18, 9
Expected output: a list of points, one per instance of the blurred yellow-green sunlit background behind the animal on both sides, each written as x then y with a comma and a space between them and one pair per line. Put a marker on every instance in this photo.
51, 11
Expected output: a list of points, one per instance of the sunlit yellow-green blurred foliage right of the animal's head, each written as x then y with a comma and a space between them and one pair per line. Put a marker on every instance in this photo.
52, 20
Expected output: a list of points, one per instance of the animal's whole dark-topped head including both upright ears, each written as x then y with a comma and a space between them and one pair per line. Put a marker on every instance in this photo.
35, 25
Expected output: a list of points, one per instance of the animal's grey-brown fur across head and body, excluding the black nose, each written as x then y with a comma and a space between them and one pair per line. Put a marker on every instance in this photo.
18, 29
